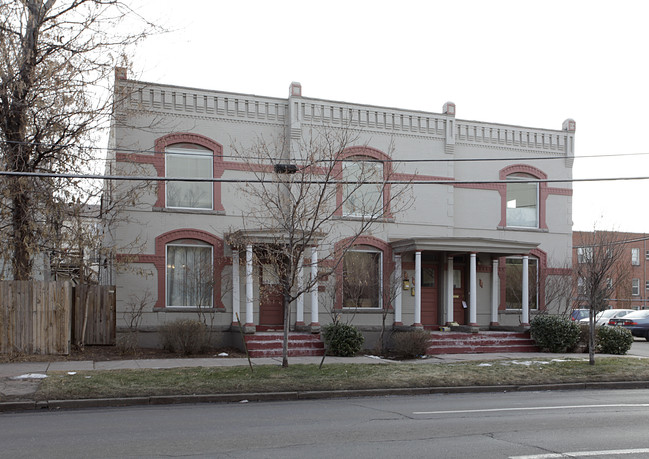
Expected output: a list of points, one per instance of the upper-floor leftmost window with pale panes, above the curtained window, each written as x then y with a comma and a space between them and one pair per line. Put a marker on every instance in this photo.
189, 163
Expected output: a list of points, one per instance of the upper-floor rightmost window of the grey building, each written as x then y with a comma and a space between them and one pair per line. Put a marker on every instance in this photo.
522, 201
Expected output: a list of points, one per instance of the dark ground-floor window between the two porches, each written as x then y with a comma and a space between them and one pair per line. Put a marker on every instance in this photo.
362, 275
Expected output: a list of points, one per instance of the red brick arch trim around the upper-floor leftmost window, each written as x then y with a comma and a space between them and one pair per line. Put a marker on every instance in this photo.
169, 140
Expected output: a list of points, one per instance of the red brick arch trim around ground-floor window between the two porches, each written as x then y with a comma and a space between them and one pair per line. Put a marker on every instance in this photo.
348, 244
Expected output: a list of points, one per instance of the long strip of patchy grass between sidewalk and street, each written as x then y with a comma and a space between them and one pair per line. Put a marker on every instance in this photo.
269, 378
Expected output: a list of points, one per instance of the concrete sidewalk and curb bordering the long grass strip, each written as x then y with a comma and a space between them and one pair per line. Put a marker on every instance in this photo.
19, 381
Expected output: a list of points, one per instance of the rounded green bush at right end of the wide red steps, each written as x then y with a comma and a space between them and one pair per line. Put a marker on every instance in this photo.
554, 333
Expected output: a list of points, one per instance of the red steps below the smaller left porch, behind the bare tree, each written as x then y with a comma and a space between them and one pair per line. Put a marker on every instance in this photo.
269, 344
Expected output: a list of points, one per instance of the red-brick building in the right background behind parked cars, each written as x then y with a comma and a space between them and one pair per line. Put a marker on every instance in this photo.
632, 291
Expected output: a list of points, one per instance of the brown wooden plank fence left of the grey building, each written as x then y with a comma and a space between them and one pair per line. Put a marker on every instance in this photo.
46, 317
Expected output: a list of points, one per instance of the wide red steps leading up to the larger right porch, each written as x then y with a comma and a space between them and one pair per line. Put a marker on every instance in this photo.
482, 342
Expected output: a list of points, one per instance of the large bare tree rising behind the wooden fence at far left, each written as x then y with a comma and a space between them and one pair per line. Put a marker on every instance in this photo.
56, 60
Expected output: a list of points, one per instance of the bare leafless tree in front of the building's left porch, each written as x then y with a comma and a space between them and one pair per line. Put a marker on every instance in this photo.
314, 192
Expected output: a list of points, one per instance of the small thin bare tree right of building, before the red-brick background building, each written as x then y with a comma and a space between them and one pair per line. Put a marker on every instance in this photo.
600, 272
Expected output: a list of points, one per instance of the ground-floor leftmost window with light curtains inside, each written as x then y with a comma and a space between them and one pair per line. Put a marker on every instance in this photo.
190, 274
